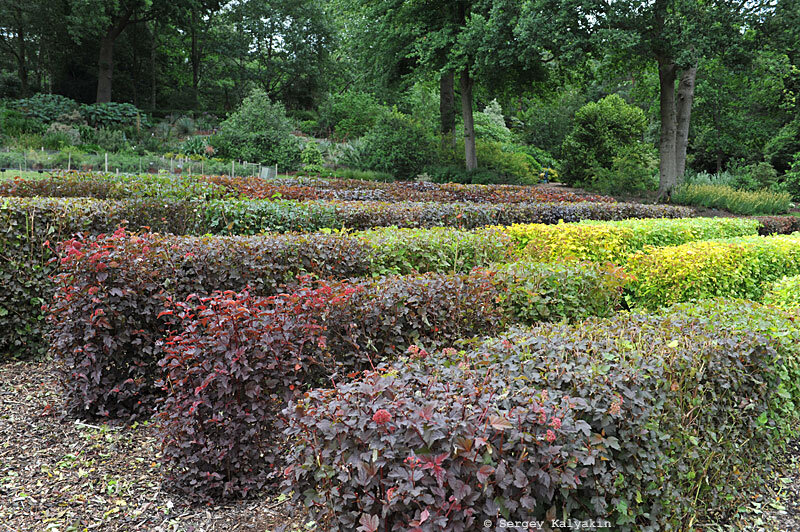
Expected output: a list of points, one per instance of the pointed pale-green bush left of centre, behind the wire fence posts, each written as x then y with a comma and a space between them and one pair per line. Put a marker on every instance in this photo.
259, 131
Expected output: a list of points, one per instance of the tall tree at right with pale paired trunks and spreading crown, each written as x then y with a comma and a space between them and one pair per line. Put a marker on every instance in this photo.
674, 34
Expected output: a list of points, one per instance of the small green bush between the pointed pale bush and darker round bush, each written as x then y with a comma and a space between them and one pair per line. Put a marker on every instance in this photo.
350, 114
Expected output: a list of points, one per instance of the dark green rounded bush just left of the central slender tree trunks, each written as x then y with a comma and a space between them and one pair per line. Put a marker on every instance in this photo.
397, 144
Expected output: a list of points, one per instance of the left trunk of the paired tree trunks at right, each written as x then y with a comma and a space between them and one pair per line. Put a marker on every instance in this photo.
668, 168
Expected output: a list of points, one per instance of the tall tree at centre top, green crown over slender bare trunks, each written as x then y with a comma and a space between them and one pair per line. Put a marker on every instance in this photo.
473, 39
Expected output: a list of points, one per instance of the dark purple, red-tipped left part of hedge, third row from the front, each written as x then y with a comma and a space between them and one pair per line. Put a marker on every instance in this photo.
106, 315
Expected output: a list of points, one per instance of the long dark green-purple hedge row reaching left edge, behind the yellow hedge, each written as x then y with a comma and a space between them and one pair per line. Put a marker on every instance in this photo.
27, 224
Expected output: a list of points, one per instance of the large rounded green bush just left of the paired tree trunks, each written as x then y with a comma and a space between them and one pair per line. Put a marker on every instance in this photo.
602, 131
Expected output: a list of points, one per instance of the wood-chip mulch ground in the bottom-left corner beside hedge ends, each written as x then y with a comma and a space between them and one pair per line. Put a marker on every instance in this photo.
64, 476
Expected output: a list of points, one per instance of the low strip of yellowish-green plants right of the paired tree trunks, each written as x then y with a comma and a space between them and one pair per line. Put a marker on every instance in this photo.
735, 201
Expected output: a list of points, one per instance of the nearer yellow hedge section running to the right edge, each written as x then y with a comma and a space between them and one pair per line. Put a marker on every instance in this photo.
737, 267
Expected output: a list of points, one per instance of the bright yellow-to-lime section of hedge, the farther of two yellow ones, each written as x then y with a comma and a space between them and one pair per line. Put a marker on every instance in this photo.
614, 241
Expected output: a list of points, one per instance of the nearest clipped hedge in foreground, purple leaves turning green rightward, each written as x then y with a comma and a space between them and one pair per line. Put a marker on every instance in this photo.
651, 422
